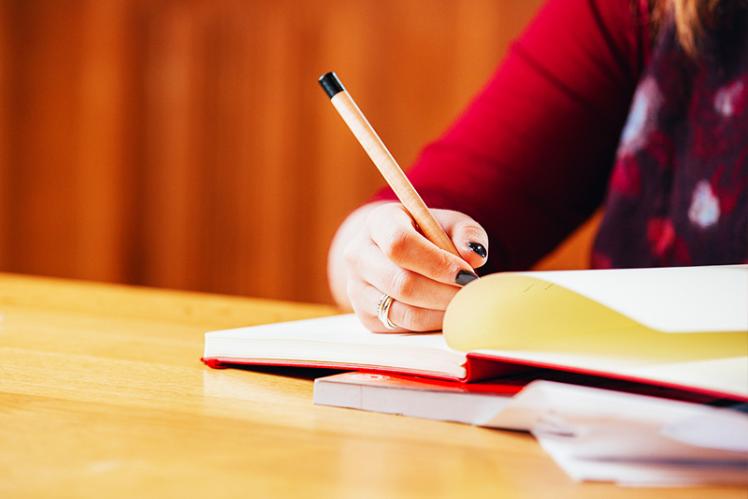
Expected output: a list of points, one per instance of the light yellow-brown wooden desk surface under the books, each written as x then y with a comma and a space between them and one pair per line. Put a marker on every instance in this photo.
102, 393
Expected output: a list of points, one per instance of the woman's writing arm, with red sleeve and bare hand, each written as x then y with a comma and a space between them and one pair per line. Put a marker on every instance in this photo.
526, 163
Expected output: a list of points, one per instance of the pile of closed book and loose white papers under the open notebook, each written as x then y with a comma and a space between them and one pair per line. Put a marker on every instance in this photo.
593, 434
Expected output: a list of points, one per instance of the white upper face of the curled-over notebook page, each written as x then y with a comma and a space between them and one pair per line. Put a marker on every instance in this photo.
671, 299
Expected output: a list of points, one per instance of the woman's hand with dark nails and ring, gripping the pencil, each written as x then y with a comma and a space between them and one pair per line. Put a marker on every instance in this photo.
387, 255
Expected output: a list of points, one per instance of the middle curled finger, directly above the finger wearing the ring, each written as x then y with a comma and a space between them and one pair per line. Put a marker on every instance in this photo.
405, 286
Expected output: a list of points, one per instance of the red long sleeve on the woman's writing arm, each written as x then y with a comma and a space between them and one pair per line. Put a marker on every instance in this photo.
530, 157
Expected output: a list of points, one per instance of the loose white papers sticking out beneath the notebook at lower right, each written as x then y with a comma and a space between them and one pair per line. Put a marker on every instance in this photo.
634, 440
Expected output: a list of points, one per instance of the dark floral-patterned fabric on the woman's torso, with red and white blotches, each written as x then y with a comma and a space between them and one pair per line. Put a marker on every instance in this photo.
678, 193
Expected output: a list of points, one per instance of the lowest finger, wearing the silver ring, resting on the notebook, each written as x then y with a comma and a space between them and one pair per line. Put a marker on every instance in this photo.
365, 300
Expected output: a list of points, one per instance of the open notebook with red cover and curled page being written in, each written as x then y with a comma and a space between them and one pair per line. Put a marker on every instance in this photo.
682, 328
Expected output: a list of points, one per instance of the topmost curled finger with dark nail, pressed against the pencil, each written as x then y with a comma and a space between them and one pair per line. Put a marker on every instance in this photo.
392, 230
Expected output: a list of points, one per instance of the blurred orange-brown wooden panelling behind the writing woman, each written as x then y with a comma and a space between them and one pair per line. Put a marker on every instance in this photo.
186, 144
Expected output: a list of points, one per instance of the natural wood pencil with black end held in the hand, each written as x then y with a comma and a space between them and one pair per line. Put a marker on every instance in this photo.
385, 162
